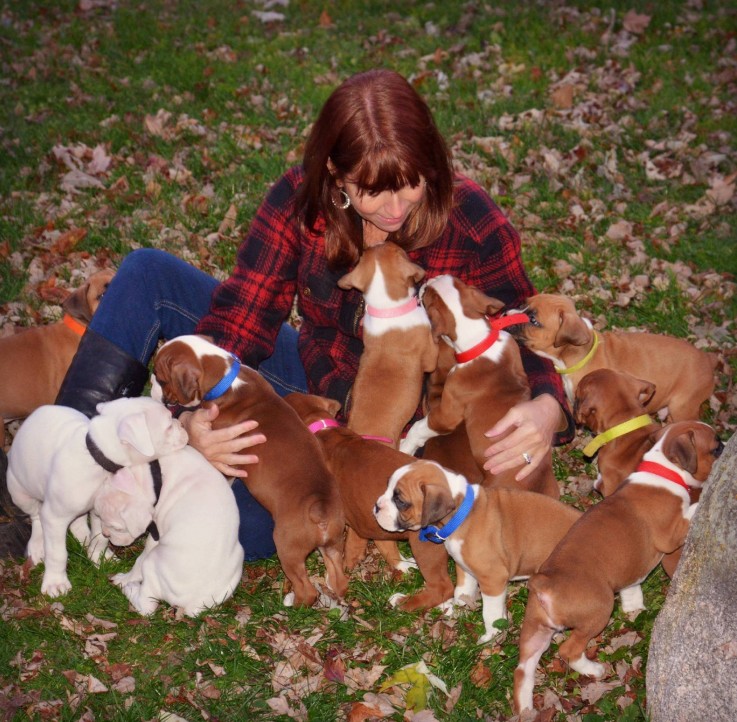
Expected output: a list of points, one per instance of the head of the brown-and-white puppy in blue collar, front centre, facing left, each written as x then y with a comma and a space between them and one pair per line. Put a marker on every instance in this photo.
417, 494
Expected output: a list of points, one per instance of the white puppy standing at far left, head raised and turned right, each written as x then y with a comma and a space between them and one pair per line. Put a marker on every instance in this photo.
59, 460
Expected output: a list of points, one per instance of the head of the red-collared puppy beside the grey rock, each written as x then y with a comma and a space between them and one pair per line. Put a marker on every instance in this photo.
692, 446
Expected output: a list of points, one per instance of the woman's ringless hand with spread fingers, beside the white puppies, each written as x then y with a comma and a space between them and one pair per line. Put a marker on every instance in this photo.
223, 448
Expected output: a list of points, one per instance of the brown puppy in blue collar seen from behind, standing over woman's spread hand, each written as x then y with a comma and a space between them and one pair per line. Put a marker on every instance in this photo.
291, 479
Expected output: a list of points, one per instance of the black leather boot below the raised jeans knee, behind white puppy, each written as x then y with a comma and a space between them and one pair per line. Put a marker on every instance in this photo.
100, 371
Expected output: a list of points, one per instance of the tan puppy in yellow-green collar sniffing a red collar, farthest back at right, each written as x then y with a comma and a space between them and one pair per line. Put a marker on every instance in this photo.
682, 374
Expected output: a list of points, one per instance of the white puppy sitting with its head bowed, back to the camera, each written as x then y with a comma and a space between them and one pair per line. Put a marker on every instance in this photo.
194, 560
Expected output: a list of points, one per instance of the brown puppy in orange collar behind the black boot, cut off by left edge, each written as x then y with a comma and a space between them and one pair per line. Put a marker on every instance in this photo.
34, 361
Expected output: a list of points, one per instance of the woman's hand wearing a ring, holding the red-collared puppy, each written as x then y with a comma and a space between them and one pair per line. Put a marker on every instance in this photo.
527, 430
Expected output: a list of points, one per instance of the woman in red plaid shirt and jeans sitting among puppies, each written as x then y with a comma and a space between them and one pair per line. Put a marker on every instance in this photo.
375, 169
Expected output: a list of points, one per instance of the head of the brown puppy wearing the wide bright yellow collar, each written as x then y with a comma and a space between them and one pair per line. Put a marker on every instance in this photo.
605, 394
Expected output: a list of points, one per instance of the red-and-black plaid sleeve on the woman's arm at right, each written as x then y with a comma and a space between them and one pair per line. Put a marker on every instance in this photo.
481, 247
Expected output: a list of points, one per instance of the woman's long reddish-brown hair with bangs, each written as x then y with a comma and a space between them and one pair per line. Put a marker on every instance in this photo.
378, 132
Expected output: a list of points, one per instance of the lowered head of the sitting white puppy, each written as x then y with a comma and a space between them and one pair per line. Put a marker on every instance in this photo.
124, 505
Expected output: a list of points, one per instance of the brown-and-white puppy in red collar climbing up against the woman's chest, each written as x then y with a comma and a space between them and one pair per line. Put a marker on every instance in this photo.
487, 380
